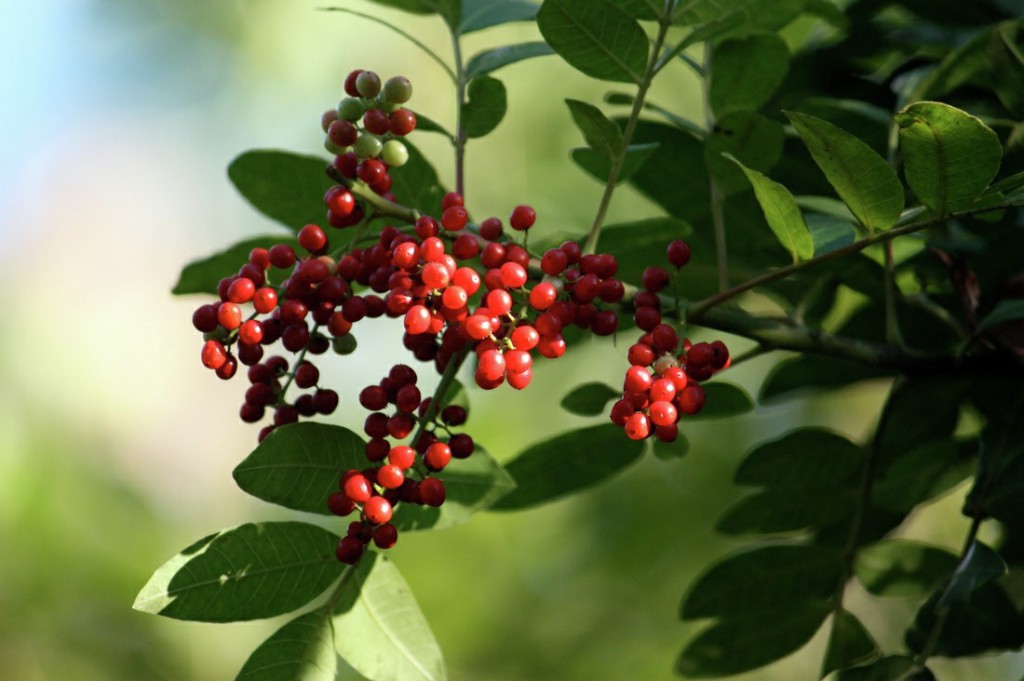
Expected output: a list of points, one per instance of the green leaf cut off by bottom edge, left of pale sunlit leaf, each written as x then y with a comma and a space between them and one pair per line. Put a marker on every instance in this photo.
302, 651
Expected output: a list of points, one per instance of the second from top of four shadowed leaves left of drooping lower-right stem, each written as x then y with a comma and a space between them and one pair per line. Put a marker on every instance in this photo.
781, 512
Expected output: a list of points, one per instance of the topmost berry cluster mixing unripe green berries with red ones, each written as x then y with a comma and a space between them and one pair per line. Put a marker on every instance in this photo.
366, 152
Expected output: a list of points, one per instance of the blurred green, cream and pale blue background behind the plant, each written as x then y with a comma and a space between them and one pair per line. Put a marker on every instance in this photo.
116, 447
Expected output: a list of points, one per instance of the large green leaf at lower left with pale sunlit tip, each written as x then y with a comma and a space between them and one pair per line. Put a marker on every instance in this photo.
248, 573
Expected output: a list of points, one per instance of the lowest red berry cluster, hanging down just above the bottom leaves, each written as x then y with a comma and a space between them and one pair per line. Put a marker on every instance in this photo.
399, 473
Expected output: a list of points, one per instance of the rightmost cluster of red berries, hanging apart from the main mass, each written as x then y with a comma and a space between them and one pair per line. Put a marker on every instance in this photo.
660, 386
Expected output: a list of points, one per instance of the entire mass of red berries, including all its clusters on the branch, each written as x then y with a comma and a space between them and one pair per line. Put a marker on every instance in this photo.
460, 289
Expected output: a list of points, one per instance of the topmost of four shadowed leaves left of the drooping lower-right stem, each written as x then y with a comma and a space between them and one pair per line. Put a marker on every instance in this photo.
802, 460
